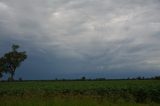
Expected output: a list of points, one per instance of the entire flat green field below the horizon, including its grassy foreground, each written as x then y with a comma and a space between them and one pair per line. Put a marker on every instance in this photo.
81, 93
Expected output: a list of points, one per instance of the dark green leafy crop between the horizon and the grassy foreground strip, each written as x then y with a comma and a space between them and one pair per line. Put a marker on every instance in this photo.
139, 91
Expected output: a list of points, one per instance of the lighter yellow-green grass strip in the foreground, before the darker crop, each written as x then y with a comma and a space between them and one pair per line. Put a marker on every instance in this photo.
67, 101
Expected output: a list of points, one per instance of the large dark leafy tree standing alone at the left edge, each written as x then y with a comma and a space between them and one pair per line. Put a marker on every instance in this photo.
11, 60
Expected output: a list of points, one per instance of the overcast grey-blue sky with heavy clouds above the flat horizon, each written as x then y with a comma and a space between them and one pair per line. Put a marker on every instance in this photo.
75, 38
